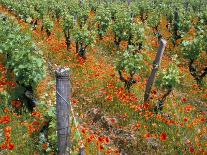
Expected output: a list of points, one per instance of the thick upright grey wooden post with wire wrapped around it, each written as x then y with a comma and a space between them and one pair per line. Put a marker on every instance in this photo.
63, 93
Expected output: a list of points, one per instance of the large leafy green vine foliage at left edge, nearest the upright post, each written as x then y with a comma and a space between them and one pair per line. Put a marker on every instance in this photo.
23, 57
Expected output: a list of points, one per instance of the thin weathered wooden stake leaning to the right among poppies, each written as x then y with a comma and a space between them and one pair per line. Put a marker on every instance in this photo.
156, 65
